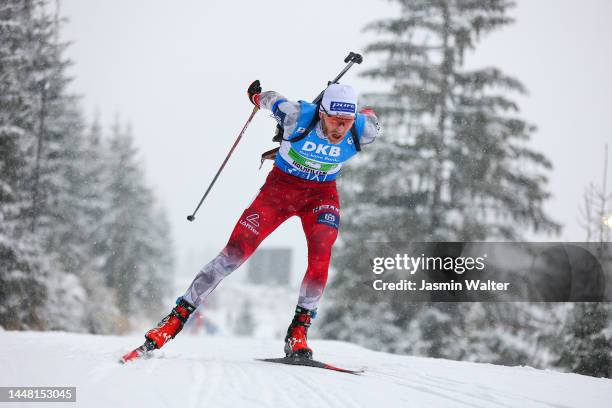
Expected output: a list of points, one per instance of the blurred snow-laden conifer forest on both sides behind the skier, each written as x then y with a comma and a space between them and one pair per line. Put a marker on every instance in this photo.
84, 242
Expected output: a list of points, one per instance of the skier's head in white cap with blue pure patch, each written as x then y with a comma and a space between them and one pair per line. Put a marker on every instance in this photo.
337, 112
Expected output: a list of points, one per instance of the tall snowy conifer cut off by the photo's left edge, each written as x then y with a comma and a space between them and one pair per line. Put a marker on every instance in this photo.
22, 285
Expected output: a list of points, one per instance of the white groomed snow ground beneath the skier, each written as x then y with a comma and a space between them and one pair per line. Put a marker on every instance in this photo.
222, 372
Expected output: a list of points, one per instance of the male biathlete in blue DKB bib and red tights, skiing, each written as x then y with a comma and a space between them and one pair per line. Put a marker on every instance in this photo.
317, 140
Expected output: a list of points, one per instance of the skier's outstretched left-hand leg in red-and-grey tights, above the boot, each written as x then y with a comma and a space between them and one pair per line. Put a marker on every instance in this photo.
262, 217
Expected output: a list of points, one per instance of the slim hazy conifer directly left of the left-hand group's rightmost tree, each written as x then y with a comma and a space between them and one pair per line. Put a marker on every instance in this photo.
86, 177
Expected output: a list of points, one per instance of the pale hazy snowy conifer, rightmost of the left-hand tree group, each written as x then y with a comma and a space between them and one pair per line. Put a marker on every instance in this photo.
137, 243
